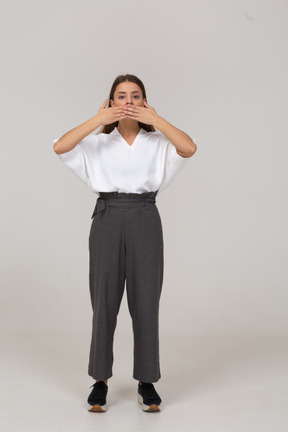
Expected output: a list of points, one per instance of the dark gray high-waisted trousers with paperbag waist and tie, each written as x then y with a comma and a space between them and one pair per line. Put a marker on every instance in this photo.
126, 244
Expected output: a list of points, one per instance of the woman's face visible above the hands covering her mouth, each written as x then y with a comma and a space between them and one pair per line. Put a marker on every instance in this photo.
128, 93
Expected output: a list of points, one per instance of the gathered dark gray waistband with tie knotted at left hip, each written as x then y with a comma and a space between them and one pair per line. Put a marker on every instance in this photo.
121, 199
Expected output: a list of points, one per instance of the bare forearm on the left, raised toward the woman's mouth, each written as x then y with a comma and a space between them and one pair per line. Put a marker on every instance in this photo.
71, 138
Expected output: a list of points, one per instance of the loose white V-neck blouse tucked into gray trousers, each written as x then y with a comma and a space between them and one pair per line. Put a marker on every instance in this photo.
107, 163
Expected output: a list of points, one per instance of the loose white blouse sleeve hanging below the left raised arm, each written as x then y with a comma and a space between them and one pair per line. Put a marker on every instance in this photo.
75, 160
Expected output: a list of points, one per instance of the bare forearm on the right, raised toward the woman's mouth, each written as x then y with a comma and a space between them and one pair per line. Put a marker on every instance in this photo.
183, 143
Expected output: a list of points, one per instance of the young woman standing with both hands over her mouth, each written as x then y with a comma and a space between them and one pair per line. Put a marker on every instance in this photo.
126, 163
